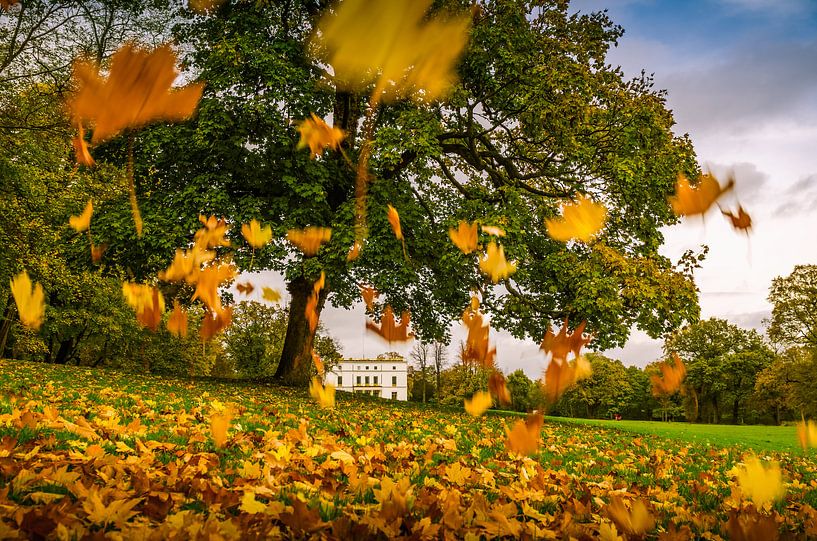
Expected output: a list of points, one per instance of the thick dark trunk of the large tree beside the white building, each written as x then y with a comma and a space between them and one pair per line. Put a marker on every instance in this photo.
295, 366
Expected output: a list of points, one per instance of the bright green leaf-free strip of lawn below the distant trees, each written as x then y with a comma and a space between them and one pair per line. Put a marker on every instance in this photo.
757, 437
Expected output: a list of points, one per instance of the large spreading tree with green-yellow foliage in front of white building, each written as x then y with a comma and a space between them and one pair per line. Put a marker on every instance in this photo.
538, 117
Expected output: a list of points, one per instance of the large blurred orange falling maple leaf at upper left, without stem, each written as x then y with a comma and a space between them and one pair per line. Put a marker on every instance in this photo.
136, 92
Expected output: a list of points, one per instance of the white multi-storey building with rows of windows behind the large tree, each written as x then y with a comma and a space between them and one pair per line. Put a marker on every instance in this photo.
386, 378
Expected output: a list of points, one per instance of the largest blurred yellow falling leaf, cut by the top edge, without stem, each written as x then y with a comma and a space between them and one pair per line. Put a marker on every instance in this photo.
394, 45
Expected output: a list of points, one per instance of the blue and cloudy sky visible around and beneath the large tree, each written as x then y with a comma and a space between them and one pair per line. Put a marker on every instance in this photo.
741, 80
